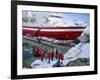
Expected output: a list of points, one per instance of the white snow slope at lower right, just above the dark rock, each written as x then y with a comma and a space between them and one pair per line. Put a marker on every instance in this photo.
79, 51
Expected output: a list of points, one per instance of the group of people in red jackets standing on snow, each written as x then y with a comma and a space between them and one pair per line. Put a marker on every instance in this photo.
49, 55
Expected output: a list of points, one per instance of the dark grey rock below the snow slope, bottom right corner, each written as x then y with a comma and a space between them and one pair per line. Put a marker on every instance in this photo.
79, 62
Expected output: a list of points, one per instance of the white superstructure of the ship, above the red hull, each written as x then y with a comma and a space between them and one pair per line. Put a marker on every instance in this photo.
43, 19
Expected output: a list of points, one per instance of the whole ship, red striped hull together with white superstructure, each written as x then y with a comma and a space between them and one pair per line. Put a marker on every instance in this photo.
50, 26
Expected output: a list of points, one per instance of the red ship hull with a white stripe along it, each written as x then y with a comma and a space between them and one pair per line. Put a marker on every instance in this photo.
60, 33
